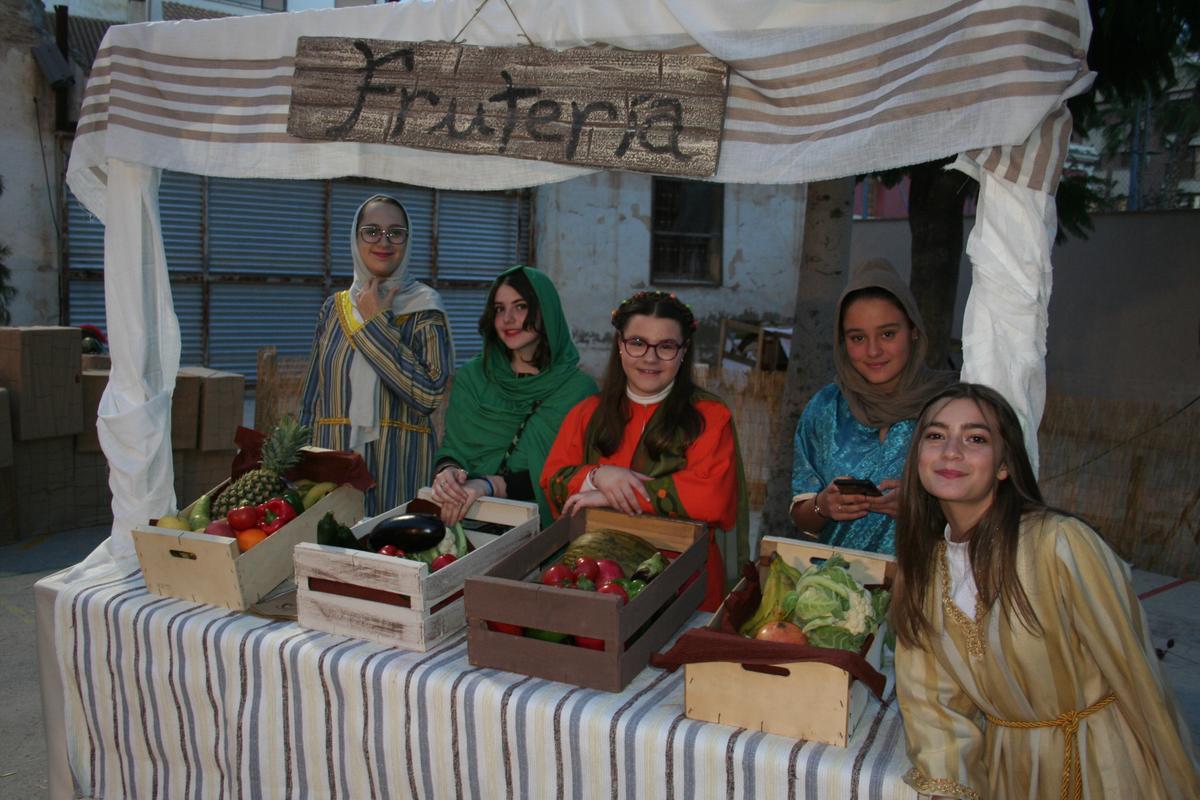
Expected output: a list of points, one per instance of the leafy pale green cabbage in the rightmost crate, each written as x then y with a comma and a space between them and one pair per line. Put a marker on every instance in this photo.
835, 610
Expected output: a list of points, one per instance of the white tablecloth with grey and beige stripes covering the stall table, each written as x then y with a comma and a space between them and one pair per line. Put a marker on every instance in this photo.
165, 699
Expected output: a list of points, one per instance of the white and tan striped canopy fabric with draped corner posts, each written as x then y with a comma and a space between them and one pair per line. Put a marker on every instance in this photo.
818, 91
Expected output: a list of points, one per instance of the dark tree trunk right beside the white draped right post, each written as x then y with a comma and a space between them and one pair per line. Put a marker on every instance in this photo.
935, 222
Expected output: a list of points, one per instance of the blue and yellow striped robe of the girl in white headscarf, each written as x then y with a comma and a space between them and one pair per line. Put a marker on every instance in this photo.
412, 356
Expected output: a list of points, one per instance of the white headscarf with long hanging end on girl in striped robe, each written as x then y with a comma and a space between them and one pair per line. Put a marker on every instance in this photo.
412, 298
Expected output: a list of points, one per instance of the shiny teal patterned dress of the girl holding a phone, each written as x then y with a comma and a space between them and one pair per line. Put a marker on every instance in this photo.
830, 442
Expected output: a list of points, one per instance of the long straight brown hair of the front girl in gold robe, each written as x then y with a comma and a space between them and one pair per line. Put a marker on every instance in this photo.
993, 542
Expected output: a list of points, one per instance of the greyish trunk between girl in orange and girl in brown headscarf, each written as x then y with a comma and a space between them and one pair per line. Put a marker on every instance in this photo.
824, 264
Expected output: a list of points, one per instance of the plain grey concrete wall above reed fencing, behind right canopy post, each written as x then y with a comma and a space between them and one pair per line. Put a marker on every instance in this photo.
1125, 311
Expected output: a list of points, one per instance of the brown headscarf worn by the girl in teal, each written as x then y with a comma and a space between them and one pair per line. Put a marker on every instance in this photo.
872, 406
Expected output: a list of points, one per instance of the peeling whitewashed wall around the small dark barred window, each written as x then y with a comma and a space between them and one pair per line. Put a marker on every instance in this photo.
592, 236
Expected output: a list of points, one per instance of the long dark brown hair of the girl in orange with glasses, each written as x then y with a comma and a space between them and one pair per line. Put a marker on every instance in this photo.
683, 424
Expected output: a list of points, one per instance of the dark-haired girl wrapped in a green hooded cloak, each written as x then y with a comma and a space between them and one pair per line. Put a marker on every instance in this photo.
508, 404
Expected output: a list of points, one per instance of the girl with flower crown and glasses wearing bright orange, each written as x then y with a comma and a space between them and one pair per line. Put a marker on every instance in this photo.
652, 442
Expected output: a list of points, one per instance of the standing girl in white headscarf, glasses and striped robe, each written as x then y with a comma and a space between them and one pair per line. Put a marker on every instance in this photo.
381, 360
